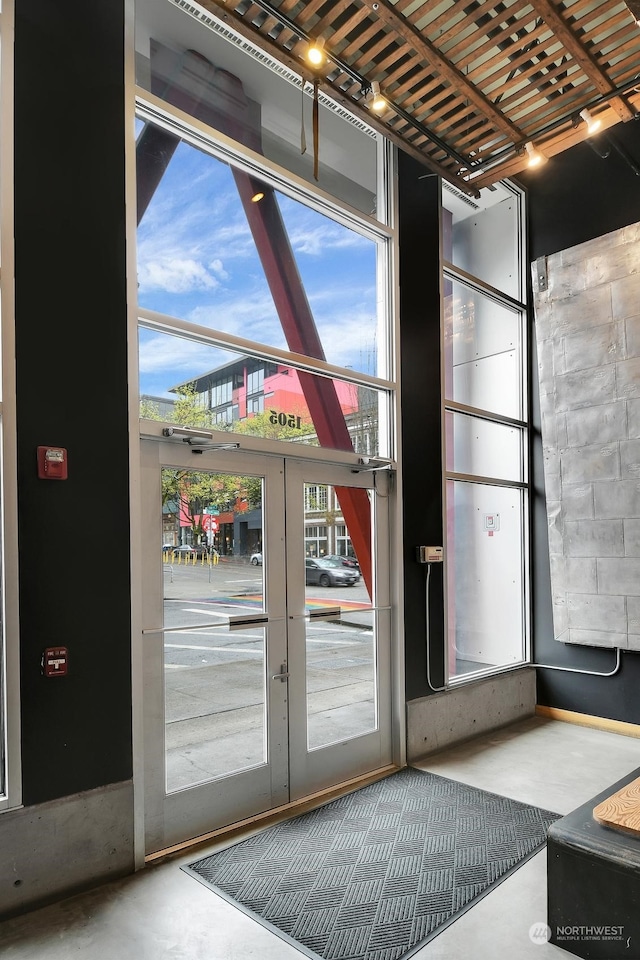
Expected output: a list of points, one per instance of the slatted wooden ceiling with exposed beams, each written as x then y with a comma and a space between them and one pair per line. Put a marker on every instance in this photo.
473, 77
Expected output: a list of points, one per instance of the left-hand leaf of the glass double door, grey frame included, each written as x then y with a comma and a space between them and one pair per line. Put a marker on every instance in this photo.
214, 637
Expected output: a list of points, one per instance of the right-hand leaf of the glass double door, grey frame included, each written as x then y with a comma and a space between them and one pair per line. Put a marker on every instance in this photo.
338, 624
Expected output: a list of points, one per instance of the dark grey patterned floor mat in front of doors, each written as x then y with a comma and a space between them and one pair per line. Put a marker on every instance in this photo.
376, 874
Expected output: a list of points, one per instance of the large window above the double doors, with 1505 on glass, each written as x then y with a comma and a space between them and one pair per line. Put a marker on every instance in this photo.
263, 294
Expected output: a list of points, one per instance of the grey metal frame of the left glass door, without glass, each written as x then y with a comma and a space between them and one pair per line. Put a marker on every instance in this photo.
265, 785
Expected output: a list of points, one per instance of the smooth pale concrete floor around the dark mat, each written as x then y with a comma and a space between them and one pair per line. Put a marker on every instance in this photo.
163, 914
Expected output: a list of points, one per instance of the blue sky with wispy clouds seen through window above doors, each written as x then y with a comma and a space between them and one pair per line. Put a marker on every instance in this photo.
197, 261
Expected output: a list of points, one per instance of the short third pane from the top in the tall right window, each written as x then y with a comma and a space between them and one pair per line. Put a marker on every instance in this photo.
481, 447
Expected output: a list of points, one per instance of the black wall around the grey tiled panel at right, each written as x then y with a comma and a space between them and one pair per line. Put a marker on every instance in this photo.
574, 198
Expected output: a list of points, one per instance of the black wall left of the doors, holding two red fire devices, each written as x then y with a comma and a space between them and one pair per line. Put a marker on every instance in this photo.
72, 392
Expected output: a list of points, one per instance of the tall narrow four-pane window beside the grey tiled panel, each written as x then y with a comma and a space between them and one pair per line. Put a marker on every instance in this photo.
485, 421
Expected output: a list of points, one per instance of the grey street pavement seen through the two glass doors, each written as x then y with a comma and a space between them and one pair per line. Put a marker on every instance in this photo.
216, 690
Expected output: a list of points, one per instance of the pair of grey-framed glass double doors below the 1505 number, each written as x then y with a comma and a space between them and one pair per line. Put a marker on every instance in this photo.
267, 663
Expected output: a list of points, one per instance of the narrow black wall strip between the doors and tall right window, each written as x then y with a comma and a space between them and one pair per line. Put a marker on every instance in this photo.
419, 233
